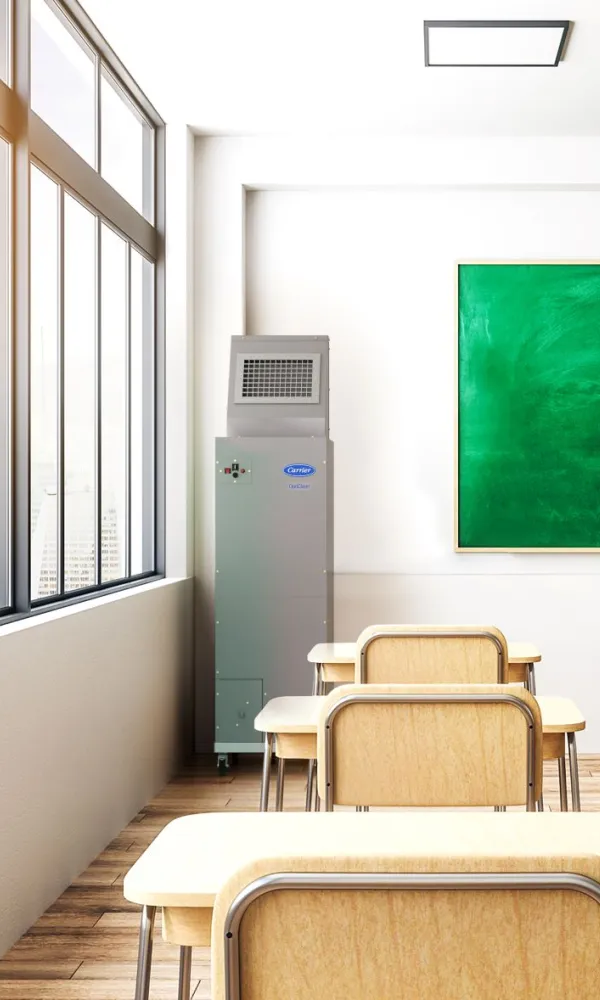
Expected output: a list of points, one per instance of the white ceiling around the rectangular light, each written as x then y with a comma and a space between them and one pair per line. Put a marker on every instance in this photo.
340, 65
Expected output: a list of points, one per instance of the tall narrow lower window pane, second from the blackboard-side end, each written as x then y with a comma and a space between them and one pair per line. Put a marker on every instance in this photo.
114, 404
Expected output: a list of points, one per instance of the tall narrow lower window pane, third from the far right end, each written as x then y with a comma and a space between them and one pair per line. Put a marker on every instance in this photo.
80, 395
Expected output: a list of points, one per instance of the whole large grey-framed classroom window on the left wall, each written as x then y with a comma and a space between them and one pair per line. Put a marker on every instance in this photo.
81, 272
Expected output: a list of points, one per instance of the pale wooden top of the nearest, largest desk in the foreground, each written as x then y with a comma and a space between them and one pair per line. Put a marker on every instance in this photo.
194, 856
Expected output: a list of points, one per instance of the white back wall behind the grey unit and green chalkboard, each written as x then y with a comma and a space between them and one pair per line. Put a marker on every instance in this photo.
359, 241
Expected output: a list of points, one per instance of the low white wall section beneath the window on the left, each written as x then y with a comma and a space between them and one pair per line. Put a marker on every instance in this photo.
94, 717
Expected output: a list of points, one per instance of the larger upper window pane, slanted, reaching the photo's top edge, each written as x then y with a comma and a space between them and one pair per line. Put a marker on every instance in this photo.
63, 80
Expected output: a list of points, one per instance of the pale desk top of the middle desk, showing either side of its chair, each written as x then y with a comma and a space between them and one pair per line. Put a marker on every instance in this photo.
300, 714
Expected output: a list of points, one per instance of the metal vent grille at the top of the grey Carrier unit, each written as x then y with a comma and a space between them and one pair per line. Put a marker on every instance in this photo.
277, 378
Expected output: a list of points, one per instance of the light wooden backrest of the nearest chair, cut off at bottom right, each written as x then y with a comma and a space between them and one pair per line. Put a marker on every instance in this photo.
376, 927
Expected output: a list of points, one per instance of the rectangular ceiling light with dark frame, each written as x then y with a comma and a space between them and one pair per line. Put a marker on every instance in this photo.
495, 43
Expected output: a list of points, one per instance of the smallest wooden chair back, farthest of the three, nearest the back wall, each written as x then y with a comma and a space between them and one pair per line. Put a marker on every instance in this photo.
431, 654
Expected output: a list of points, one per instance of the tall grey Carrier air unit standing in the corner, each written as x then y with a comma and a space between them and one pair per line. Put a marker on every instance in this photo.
274, 530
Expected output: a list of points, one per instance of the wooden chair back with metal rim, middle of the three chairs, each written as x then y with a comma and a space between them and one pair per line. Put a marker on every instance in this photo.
429, 745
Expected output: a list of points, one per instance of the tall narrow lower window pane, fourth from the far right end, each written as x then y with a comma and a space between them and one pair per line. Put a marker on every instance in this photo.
44, 383
